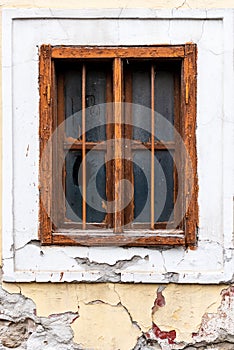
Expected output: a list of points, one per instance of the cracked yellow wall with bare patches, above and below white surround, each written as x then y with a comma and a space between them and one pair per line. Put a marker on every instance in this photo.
114, 316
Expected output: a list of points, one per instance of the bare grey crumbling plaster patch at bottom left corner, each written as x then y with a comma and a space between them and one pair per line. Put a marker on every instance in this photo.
21, 327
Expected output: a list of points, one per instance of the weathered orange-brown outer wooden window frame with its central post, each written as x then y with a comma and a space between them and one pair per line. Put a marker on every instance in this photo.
187, 235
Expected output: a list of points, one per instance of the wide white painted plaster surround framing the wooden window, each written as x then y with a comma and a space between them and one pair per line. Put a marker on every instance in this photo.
23, 258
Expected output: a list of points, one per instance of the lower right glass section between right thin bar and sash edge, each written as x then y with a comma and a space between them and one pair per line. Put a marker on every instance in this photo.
164, 186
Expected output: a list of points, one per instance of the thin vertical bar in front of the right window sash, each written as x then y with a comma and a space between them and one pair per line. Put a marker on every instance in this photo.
152, 209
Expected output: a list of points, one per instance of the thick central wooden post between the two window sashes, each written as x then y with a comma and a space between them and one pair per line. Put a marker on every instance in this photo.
117, 82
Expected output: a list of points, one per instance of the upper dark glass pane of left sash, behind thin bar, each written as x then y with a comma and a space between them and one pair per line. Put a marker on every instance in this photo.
95, 99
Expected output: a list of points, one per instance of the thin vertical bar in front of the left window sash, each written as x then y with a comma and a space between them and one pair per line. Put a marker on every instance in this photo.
83, 148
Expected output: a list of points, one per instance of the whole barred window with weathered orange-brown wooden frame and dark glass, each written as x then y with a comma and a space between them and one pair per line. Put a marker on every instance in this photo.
117, 145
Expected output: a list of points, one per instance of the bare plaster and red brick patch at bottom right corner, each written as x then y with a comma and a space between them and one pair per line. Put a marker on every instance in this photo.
216, 330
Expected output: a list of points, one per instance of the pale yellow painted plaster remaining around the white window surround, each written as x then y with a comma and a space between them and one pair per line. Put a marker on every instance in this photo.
107, 310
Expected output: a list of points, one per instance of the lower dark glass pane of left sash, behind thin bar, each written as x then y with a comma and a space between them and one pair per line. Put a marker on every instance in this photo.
96, 186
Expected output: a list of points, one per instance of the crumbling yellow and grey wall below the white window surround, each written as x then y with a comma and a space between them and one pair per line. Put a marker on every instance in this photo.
110, 318
